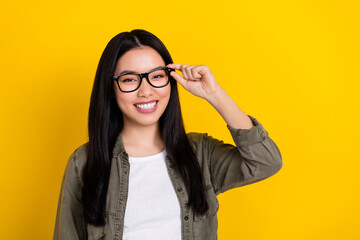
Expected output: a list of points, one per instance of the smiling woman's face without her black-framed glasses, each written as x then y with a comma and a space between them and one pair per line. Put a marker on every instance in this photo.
144, 106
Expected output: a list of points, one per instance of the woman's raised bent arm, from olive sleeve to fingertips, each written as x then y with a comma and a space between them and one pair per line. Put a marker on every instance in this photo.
255, 156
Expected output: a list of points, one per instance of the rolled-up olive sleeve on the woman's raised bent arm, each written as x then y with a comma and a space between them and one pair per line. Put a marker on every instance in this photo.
254, 158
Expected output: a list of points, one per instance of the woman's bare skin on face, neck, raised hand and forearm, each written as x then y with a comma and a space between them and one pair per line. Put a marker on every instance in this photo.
141, 132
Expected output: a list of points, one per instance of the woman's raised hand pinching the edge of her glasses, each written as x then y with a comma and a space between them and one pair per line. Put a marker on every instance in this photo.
197, 79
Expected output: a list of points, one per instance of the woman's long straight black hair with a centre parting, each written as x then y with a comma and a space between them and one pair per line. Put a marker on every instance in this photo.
106, 122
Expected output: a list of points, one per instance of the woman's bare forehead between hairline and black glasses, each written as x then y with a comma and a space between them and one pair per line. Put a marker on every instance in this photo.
140, 59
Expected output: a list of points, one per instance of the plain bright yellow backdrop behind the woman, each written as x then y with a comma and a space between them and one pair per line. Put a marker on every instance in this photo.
293, 65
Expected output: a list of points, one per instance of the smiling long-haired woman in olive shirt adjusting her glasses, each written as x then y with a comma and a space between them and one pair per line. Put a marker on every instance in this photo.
141, 176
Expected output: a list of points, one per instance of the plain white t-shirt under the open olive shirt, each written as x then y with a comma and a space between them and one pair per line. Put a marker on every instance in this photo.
152, 208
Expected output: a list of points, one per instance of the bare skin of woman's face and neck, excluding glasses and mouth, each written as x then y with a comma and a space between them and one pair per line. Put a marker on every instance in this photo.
141, 132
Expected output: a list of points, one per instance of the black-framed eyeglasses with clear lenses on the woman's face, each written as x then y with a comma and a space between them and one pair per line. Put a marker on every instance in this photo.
157, 78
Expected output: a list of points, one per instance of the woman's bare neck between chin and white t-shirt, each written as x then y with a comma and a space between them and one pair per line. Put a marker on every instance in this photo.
141, 141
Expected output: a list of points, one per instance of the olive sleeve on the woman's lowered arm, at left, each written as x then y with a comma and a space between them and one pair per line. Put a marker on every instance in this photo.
69, 223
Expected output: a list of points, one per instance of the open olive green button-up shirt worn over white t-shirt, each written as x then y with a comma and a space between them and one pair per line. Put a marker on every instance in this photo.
224, 166
